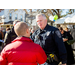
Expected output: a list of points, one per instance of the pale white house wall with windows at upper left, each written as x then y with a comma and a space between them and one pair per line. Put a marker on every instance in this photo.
9, 15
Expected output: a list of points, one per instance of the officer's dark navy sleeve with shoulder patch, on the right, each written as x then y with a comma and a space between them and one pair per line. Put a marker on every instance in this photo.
60, 46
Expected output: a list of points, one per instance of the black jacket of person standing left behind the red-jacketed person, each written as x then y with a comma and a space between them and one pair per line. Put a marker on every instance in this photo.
9, 36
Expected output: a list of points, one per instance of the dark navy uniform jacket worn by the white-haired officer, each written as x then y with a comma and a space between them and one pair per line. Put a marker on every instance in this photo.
50, 40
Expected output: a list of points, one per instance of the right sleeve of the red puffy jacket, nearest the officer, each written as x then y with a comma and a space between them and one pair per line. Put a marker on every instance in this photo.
40, 56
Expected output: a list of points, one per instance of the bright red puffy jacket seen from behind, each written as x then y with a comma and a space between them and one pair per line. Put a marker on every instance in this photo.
22, 51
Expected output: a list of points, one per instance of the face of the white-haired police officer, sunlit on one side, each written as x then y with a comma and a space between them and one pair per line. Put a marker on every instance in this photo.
41, 21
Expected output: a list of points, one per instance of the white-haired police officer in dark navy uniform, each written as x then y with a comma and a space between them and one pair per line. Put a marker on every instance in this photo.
50, 39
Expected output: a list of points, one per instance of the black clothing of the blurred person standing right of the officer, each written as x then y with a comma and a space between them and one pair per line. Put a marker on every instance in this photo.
70, 58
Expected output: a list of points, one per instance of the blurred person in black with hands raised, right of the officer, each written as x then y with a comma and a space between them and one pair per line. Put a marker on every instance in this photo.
66, 36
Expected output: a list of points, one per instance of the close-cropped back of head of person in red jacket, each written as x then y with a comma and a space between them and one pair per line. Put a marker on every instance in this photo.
20, 28
